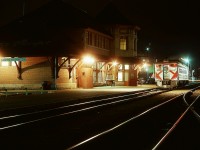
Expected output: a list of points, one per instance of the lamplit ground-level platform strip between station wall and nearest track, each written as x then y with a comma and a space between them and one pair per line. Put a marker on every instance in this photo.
24, 98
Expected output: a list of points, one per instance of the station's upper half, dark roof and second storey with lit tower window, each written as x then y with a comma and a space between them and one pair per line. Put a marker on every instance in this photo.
54, 31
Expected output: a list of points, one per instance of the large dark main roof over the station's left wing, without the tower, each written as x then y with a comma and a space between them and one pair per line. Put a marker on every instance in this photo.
43, 27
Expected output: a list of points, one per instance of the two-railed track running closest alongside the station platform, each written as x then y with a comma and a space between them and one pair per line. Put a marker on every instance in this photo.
18, 119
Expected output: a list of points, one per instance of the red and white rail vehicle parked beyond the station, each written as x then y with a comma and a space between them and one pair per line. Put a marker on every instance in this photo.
171, 74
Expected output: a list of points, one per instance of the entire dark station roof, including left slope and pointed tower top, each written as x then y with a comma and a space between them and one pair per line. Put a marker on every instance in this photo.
45, 31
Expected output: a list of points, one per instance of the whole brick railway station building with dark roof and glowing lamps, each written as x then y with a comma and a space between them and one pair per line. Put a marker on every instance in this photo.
59, 46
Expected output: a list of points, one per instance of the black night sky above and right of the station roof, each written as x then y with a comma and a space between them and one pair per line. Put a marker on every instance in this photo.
171, 26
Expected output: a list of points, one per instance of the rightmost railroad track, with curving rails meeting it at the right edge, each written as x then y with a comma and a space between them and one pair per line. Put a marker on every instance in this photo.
184, 132
